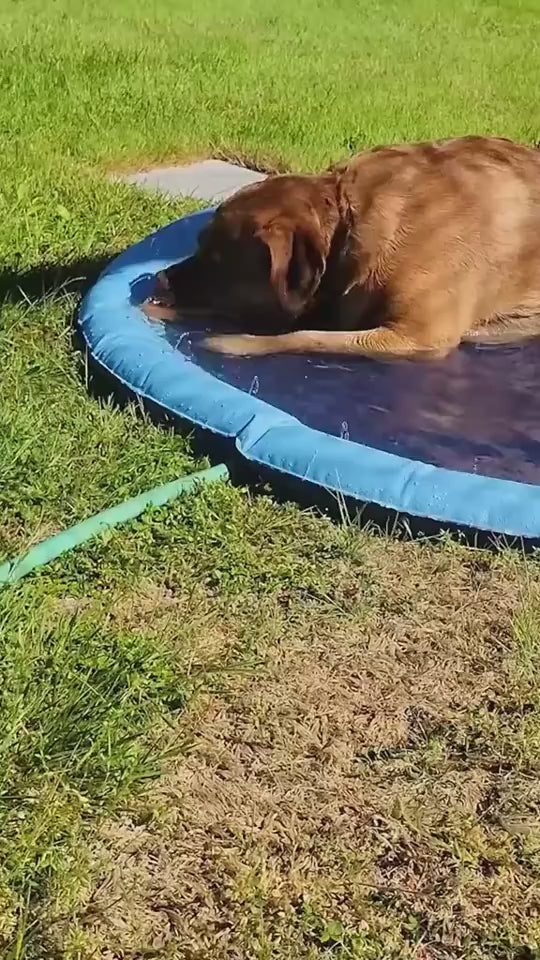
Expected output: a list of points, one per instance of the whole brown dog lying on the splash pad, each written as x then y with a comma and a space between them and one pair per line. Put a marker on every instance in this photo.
403, 251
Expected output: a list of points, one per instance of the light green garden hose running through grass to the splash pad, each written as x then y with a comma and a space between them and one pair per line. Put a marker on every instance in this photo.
54, 547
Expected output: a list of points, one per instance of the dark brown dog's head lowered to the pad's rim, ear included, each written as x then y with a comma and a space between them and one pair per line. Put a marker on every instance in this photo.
263, 255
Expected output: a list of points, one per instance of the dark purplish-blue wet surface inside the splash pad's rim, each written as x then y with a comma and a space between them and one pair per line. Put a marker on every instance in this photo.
477, 411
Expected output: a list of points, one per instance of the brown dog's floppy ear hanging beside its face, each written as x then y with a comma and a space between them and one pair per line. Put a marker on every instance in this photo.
297, 263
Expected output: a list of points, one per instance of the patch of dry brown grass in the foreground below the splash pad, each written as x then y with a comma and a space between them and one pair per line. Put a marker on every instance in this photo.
368, 791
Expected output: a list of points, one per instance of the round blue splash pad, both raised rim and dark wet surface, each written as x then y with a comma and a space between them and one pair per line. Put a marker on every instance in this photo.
373, 432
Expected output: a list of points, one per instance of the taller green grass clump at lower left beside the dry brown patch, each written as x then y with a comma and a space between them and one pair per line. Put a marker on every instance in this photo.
78, 696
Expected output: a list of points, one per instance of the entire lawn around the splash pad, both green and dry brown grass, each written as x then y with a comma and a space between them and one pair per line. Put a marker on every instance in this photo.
234, 729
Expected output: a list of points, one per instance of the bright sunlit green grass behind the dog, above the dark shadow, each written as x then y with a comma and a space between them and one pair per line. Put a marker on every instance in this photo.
119, 84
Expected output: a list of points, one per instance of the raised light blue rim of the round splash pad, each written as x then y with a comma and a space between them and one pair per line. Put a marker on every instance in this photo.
124, 343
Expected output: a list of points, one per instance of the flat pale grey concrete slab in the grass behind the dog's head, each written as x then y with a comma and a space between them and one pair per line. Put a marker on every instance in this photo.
212, 180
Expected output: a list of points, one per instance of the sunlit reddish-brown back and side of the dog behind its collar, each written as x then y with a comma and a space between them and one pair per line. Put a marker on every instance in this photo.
468, 206
